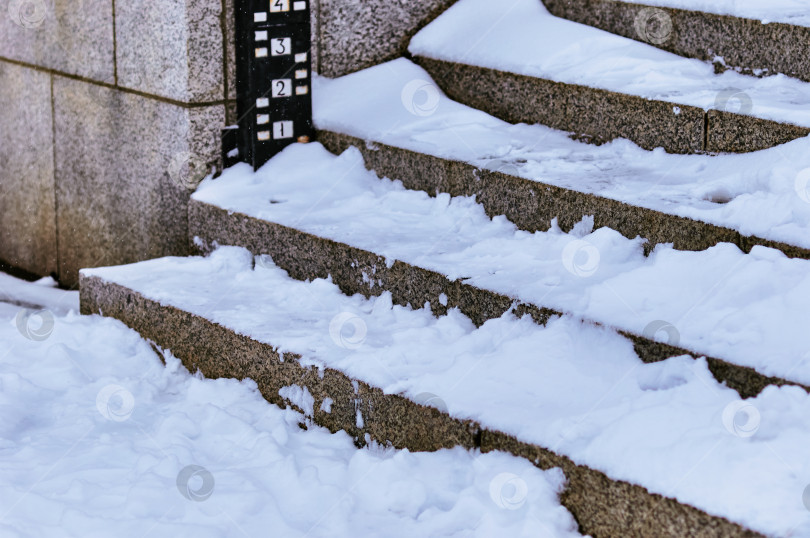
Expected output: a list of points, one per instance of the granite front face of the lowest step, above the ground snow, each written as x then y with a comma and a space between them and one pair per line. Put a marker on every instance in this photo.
99, 295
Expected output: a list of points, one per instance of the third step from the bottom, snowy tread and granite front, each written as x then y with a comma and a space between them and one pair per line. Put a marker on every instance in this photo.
408, 130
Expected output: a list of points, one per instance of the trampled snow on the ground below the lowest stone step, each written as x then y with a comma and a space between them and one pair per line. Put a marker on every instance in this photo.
98, 438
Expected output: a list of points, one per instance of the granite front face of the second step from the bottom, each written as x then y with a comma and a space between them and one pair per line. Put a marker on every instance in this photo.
306, 257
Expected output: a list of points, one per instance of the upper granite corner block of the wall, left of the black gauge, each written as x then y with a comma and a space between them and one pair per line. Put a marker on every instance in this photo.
171, 48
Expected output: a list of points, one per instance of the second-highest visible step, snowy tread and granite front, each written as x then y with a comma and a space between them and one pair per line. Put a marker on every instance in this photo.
523, 64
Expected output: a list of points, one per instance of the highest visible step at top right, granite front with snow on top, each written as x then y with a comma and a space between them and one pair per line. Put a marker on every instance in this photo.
752, 36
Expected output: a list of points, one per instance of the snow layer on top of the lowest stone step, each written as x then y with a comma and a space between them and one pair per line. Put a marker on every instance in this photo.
578, 389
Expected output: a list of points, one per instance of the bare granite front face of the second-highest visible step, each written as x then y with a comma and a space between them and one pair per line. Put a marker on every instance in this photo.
602, 115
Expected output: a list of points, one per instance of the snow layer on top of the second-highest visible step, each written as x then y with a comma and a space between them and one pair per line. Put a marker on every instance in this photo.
524, 38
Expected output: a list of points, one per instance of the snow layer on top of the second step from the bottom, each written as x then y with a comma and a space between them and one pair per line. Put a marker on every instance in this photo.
748, 309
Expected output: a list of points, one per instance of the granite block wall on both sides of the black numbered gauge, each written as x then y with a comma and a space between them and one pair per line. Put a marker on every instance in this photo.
110, 112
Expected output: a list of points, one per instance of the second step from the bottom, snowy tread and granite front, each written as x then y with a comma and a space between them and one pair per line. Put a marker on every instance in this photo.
330, 216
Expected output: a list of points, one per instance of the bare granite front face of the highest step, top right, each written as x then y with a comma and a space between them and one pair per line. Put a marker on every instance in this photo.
744, 44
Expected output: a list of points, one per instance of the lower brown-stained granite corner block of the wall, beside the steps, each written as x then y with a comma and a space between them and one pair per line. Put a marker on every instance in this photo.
134, 206
